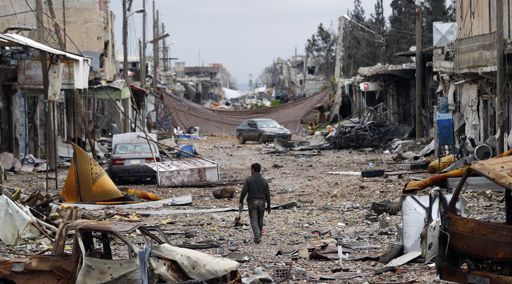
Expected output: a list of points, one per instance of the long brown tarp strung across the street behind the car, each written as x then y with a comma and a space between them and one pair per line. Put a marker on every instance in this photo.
186, 114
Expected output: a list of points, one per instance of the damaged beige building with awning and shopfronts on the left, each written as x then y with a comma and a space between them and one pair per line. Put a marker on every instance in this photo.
82, 28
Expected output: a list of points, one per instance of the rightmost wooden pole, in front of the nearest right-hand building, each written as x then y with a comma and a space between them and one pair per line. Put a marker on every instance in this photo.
500, 77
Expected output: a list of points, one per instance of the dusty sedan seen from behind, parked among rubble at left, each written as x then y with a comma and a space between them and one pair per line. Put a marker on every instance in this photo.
127, 162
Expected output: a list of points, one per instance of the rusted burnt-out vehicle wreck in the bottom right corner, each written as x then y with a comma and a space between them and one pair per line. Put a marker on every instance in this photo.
473, 250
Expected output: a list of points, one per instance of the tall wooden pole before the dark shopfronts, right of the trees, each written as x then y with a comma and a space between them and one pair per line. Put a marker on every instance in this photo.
419, 69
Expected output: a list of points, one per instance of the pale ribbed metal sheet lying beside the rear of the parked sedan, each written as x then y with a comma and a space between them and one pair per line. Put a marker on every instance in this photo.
191, 171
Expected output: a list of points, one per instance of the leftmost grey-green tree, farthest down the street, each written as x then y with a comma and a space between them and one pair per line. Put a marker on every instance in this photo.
322, 48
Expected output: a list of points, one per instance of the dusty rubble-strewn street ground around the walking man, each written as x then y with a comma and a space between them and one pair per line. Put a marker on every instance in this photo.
328, 203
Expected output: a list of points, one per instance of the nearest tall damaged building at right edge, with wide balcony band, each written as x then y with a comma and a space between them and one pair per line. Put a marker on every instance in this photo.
466, 69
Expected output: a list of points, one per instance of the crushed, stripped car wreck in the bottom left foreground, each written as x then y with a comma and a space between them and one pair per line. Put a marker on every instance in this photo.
100, 252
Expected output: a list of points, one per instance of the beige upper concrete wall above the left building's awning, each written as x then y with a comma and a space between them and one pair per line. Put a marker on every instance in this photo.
88, 26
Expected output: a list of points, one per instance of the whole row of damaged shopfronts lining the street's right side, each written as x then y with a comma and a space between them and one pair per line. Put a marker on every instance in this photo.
459, 68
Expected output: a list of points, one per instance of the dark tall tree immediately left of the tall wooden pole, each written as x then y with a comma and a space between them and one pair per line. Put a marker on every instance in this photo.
401, 35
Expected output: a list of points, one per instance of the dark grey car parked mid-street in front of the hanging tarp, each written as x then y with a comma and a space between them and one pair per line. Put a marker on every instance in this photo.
261, 130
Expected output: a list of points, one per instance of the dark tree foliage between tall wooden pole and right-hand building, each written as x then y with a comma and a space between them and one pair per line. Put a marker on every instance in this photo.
433, 11
